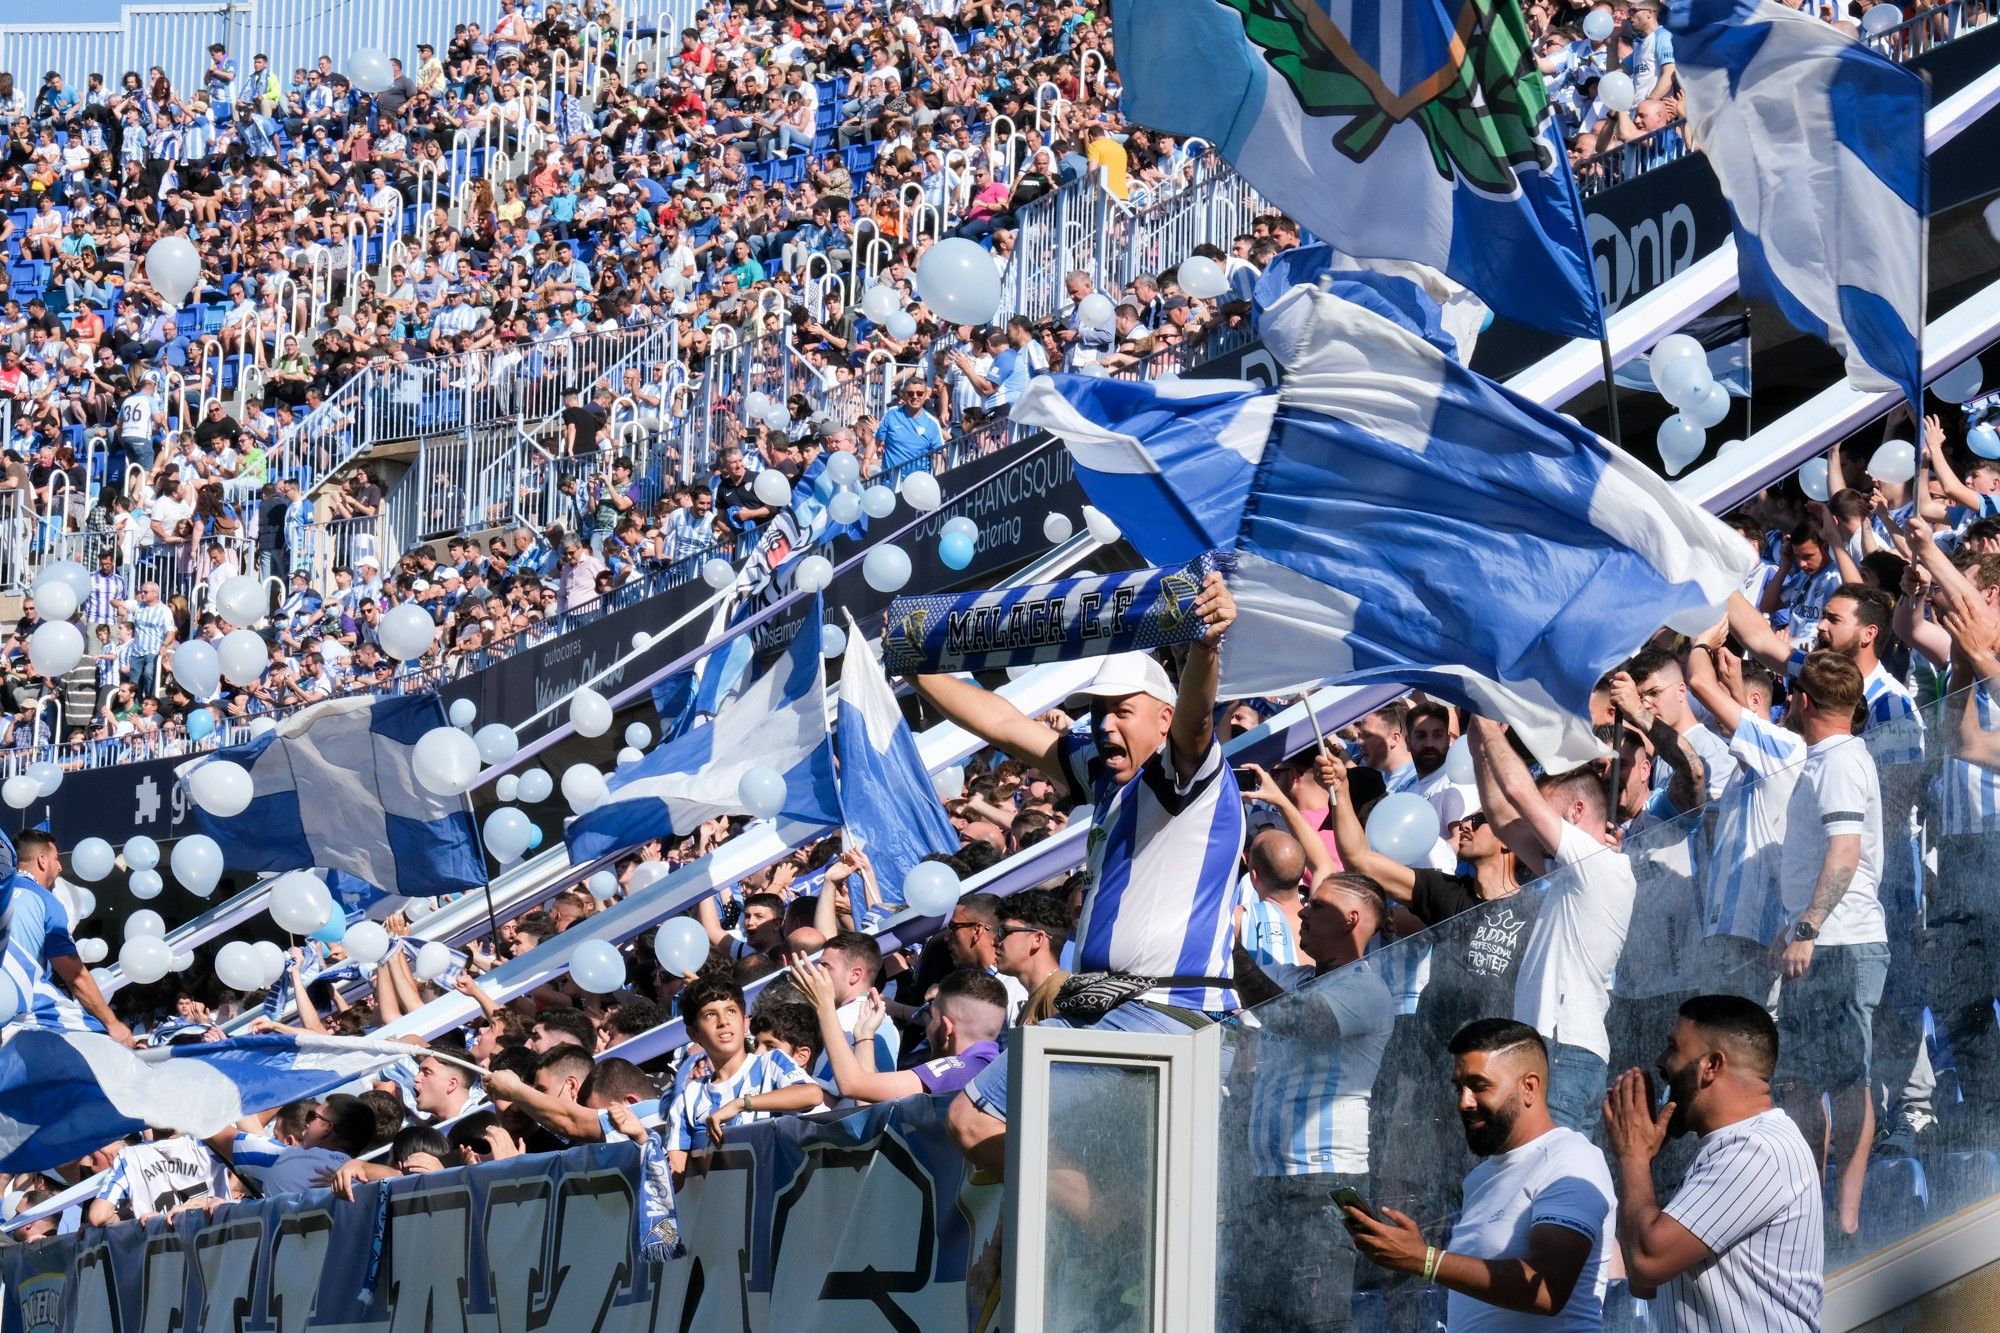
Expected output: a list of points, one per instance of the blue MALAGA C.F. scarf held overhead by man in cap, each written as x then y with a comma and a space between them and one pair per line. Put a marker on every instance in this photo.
1047, 623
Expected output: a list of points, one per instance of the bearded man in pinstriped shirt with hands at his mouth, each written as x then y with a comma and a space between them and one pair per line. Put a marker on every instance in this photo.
1739, 1246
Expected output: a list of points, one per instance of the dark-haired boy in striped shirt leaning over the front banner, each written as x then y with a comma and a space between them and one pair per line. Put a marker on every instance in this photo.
741, 1088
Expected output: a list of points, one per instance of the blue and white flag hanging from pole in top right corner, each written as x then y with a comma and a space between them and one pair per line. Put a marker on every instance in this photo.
1819, 149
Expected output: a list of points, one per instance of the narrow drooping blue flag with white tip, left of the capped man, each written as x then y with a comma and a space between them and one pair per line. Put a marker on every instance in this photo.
887, 798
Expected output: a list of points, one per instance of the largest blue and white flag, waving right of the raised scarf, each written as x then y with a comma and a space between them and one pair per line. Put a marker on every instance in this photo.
1415, 523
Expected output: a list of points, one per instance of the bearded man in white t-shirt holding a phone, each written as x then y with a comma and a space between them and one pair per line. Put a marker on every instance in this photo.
1529, 1244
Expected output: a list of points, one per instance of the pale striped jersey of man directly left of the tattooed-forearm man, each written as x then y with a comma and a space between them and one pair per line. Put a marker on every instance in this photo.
1749, 834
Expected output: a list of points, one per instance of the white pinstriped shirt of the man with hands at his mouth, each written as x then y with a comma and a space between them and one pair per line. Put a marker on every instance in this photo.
1753, 1198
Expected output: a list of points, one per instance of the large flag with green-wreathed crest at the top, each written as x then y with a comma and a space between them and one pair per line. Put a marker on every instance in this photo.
1395, 129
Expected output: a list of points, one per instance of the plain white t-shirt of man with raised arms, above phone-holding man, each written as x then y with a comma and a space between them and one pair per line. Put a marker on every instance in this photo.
1565, 978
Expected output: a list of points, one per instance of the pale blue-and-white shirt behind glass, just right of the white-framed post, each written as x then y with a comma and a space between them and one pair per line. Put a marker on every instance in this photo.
1319, 1054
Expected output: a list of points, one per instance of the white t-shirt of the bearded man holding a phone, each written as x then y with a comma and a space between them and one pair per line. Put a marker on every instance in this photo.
1559, 1180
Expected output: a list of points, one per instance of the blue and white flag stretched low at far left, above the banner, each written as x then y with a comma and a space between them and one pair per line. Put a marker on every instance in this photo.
71, 1094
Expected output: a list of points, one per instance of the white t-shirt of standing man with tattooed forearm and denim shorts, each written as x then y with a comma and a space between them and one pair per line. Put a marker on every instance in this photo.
1837, 794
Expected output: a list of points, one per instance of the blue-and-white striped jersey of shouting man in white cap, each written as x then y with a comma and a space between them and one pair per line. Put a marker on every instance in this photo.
1163, 872
